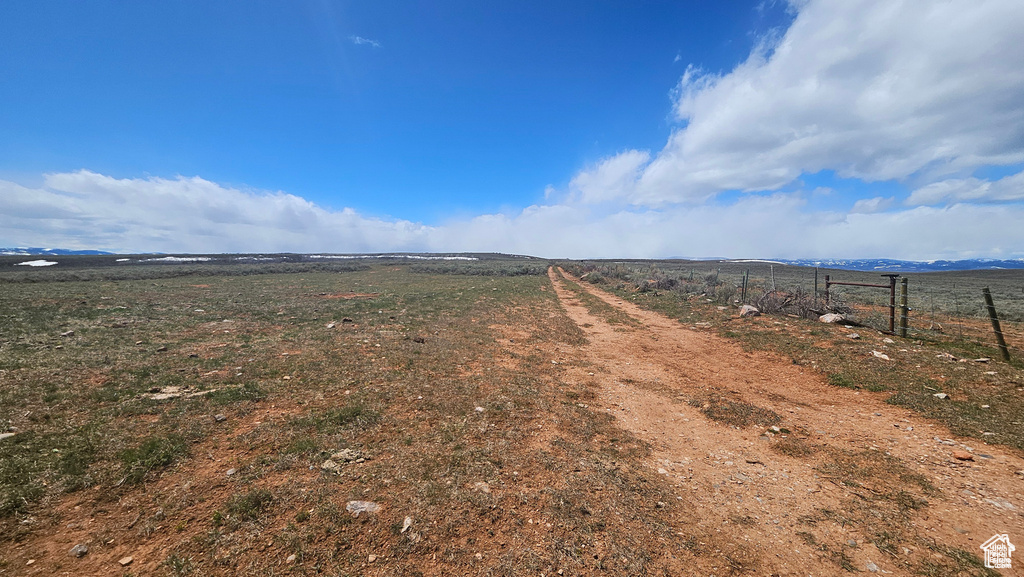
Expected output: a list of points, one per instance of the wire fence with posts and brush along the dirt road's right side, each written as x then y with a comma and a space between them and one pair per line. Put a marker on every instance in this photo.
946, 305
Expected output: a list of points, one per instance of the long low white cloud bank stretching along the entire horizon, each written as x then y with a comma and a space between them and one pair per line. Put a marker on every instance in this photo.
90, 211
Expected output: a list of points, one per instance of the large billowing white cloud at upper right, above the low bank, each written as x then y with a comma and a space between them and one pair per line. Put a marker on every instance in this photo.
872, 90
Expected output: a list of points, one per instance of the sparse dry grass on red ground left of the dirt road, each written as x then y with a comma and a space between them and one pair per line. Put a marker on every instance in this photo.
527, 484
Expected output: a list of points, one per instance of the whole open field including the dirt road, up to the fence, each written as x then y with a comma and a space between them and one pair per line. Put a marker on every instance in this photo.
215, 419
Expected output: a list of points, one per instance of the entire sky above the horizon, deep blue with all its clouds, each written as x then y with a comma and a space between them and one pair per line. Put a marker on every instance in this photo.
752, 130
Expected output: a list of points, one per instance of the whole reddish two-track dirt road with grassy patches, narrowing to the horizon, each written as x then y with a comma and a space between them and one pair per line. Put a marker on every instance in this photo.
832, 503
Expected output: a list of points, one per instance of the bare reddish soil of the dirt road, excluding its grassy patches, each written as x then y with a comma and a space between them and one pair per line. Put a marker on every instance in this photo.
730, 473
